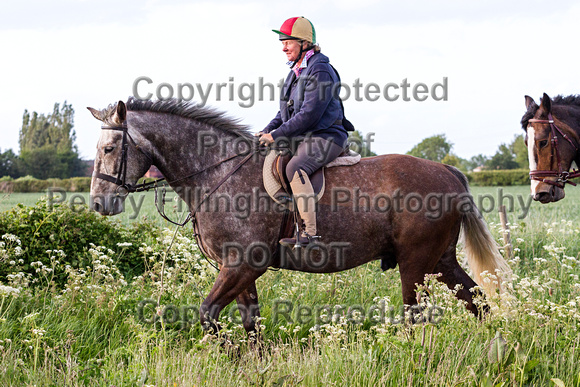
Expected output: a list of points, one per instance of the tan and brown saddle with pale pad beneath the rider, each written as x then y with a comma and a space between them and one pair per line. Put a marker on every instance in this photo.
277, 184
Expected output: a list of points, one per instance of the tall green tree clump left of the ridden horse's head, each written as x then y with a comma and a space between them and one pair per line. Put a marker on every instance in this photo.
47, 146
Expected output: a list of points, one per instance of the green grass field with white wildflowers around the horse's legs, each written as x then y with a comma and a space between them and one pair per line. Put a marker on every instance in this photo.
102, 330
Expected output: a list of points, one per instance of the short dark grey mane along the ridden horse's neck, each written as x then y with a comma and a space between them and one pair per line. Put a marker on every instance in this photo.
202, 114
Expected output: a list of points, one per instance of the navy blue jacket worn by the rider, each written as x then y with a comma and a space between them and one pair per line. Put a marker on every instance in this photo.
309, 104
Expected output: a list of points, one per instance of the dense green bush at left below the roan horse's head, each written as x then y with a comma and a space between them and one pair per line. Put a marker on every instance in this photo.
59, 227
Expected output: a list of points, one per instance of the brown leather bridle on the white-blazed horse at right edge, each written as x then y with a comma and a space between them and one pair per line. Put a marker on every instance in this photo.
563, 176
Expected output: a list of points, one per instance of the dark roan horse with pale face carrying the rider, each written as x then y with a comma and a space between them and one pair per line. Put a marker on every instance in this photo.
400, 209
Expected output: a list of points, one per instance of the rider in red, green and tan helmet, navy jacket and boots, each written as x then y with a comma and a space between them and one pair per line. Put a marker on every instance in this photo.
309, 108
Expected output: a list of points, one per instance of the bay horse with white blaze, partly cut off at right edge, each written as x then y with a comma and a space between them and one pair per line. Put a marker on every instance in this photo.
552, 137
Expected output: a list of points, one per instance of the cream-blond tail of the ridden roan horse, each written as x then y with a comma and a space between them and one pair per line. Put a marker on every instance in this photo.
480, 248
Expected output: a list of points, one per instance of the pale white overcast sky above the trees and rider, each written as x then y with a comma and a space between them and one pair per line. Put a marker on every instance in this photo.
490, 54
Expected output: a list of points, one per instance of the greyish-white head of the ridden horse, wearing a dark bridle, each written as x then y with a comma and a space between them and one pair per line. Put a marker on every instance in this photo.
119, 162
